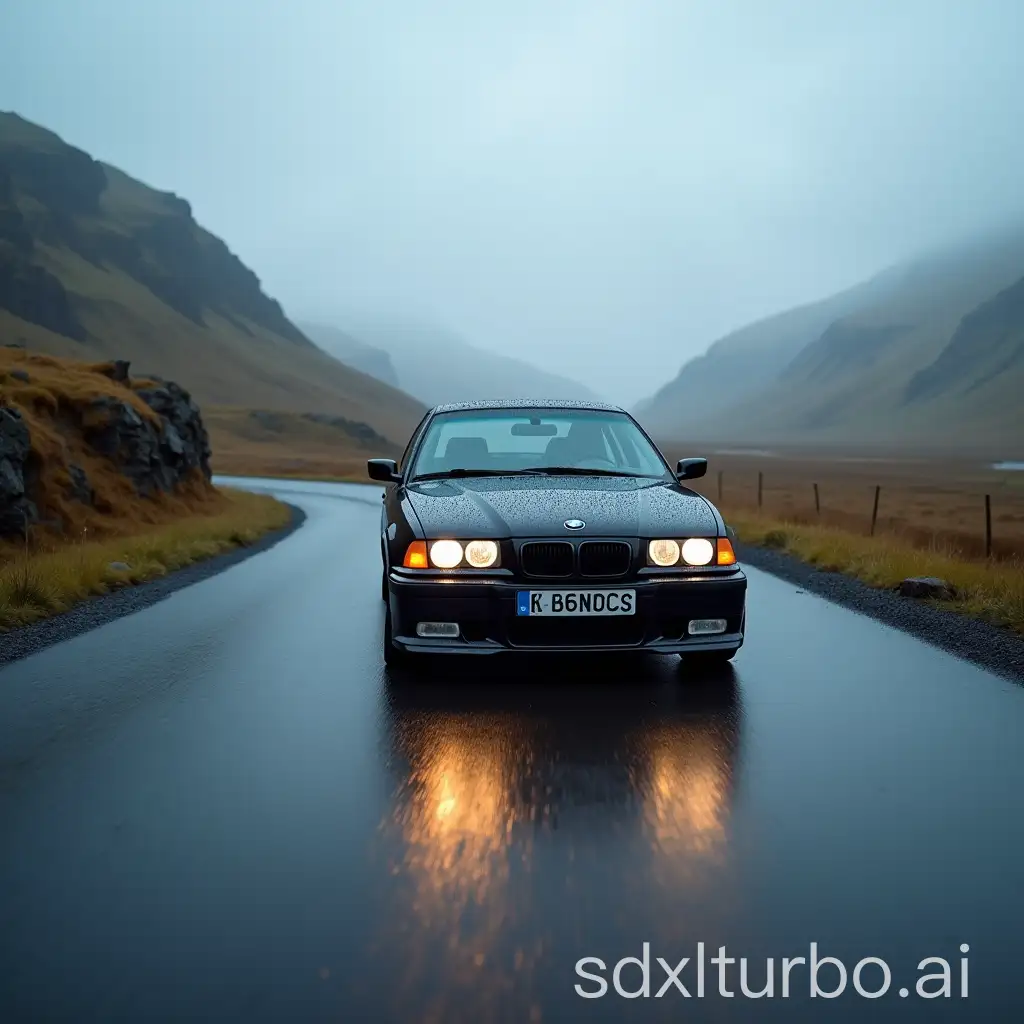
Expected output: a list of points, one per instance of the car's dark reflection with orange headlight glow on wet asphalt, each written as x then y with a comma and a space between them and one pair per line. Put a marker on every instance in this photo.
508, 814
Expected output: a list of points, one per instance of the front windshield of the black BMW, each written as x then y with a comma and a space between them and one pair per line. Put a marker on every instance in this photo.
537, 441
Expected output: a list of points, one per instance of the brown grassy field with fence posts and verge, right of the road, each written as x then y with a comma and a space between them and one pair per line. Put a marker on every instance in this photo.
930, 523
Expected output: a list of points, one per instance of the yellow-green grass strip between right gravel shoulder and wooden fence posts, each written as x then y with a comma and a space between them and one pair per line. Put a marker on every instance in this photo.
992, 591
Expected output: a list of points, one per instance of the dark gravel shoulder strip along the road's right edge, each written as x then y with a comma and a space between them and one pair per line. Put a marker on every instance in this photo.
996, 649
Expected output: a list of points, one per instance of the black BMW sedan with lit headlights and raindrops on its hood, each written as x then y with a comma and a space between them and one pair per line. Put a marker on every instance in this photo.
556, 527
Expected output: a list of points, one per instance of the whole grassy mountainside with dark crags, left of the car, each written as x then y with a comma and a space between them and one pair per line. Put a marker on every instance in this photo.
95, 265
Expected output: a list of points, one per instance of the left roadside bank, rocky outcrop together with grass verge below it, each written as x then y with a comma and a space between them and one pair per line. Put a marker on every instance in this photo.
91, 500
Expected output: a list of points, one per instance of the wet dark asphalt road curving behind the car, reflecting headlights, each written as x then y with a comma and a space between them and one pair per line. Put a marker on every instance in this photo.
222, 808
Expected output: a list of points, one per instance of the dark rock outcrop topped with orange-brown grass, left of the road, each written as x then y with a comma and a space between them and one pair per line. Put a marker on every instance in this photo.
81, 444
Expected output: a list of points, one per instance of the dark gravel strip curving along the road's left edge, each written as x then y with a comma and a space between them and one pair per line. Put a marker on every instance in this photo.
96, 612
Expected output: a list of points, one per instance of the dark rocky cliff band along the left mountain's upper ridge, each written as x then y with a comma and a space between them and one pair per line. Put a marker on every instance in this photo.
55, 196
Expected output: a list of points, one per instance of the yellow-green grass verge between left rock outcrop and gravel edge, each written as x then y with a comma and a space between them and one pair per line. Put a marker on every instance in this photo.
45, 580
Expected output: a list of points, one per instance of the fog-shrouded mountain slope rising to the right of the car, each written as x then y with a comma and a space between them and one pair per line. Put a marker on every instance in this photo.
929, 354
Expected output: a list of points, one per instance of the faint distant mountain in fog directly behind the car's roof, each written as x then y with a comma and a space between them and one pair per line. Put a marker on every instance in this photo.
438, 366
